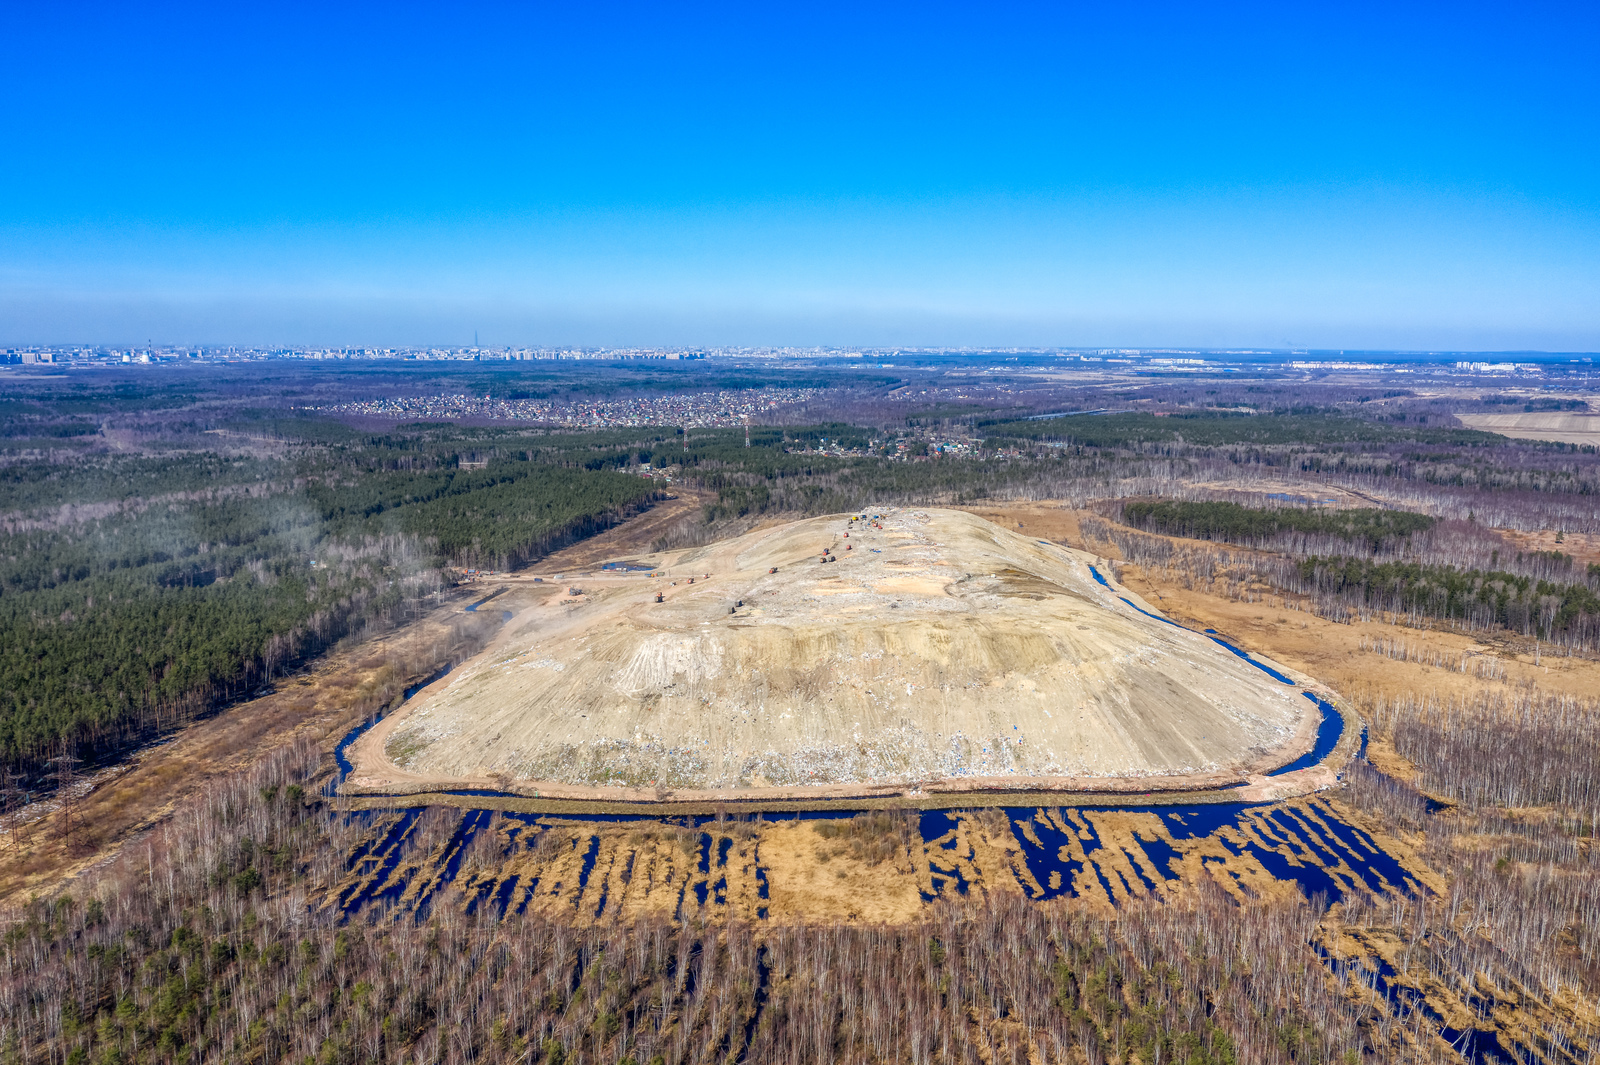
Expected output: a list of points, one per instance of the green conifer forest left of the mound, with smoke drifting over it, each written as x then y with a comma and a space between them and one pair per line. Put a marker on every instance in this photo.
137, 596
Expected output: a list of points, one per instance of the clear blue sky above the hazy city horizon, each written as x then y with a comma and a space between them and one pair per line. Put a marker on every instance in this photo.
759, 174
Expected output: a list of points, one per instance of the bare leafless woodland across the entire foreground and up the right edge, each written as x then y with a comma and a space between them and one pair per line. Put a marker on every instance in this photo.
199, 946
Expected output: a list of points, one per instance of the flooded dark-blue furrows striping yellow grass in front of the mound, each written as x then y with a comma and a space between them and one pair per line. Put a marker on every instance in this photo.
1102, 855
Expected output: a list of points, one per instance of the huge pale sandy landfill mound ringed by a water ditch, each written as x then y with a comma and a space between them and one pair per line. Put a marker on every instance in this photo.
937, 652
